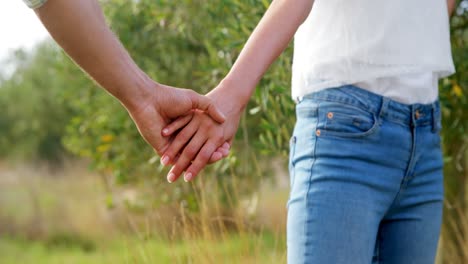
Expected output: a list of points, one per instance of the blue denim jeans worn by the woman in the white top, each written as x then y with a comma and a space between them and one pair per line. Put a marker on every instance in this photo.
366, 180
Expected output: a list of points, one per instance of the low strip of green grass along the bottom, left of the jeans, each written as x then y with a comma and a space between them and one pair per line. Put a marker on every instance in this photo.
233, 249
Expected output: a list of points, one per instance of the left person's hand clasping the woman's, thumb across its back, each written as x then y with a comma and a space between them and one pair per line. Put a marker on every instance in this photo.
164, 104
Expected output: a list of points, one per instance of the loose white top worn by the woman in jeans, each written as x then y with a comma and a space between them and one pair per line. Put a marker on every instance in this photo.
396, 48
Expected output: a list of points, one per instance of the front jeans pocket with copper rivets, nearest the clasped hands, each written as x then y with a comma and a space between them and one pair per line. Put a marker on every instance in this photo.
344, 120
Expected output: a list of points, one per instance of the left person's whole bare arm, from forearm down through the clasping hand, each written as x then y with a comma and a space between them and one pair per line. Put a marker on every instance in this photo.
80, 29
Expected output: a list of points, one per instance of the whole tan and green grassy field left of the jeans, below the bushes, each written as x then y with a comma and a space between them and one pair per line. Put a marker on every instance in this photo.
62, 217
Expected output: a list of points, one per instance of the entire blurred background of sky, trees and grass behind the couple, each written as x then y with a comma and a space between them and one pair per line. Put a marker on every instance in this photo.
79, 185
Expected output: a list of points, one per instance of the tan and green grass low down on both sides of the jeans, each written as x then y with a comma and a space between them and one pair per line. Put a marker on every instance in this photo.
69, 206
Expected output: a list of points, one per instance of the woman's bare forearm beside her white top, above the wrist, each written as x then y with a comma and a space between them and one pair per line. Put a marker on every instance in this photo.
271, 36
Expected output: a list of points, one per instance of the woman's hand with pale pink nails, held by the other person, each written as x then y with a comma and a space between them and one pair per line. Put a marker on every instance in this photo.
202, 138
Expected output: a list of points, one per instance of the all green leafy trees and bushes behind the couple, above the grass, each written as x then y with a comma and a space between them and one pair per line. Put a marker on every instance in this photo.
49, 105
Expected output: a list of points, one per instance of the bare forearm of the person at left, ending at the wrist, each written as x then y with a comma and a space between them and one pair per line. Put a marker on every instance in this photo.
80, 29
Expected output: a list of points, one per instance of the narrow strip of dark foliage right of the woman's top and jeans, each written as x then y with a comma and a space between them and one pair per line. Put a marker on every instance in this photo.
454, 96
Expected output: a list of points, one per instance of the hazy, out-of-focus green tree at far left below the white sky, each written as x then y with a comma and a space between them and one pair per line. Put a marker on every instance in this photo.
34, 114
